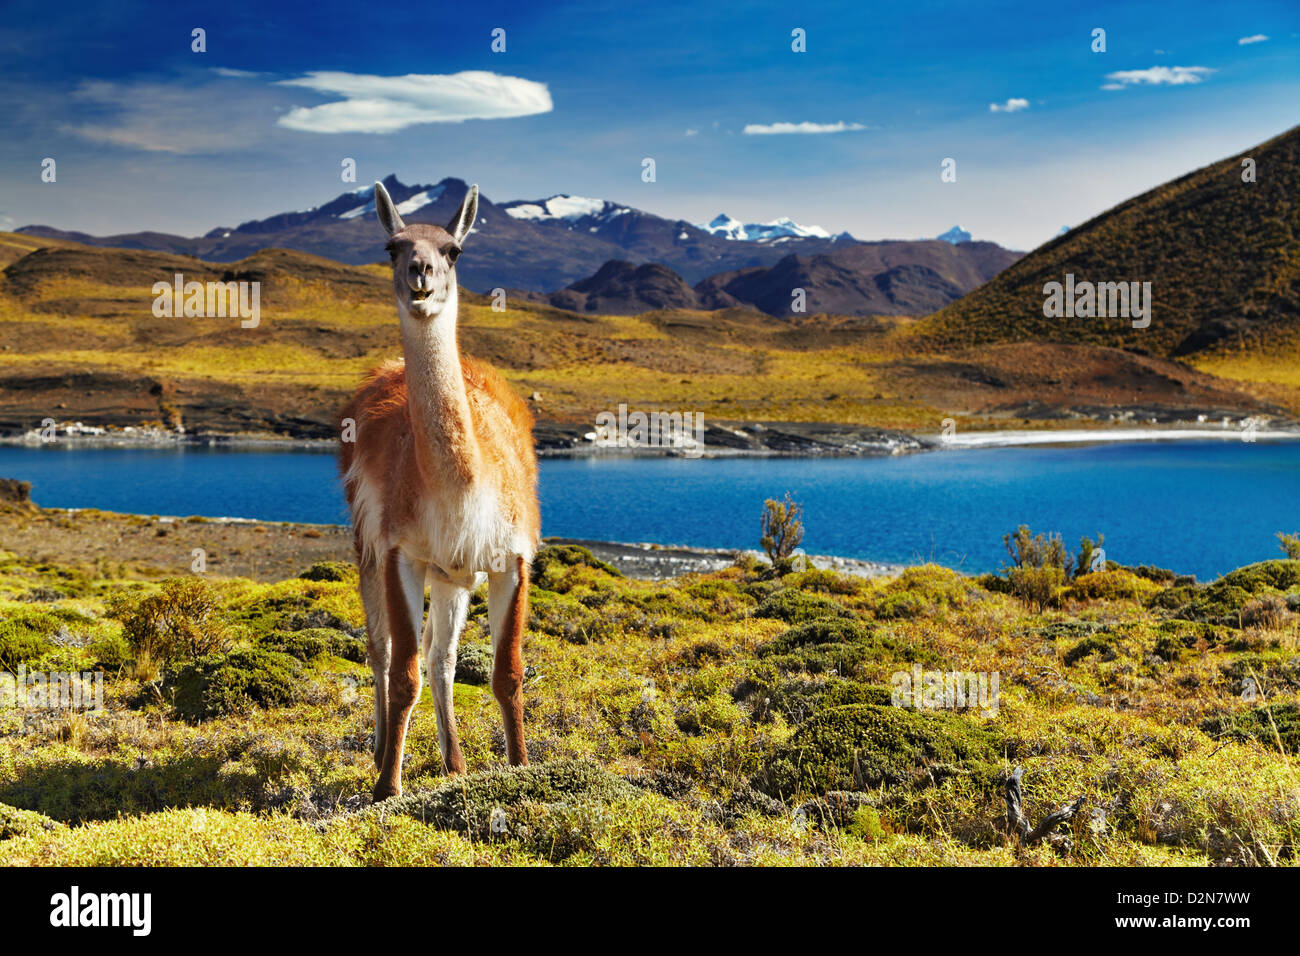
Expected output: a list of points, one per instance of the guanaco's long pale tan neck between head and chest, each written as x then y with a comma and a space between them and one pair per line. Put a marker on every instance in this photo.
445, 444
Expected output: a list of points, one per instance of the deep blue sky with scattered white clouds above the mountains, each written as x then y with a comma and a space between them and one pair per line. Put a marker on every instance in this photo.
149, 135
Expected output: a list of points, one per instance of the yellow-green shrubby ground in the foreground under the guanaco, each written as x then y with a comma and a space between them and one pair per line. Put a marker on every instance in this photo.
742, 717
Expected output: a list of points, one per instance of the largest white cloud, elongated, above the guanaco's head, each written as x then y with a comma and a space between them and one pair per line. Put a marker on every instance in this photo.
388, 105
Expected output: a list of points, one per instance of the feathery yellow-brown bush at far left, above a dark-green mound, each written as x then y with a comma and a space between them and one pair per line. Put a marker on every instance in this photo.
184, 621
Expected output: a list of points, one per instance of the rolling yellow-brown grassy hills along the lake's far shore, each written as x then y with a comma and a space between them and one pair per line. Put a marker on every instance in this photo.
79, 341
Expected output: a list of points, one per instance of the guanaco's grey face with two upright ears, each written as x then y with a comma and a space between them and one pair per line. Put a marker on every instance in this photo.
424, 257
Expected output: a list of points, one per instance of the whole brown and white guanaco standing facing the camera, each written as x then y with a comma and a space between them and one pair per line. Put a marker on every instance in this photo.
439, 439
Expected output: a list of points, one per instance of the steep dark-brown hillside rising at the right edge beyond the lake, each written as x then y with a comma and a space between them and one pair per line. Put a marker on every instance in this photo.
1223, 257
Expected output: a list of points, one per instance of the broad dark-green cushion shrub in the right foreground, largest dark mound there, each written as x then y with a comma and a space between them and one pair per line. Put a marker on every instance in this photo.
864, 746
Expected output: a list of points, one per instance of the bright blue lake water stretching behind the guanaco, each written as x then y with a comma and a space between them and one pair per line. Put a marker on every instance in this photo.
1198, 507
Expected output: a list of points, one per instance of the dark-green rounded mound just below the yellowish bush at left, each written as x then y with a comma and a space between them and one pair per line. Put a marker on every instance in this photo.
233, 684
